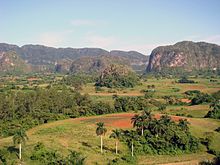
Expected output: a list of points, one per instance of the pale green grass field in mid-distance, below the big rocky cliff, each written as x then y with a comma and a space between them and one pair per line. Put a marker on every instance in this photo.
163, 87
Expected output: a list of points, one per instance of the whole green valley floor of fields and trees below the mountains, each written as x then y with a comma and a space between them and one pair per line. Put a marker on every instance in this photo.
40, 101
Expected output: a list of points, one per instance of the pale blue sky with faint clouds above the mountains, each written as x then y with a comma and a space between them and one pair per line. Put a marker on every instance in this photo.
139, 25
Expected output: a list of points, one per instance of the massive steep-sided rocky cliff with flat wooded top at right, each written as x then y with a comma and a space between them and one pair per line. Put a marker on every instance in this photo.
186, 55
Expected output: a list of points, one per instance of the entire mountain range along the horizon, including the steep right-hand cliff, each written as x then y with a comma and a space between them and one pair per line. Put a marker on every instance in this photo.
186, 55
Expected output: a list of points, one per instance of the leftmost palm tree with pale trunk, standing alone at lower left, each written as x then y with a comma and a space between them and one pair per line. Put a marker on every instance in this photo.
20, 137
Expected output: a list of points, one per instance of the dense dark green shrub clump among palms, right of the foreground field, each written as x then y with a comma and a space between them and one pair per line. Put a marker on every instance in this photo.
162, 136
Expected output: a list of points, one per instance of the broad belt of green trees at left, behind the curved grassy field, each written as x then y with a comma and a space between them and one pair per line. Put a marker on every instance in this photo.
44, 105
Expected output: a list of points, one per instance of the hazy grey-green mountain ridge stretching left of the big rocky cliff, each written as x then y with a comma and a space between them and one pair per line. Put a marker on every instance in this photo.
61, 59
